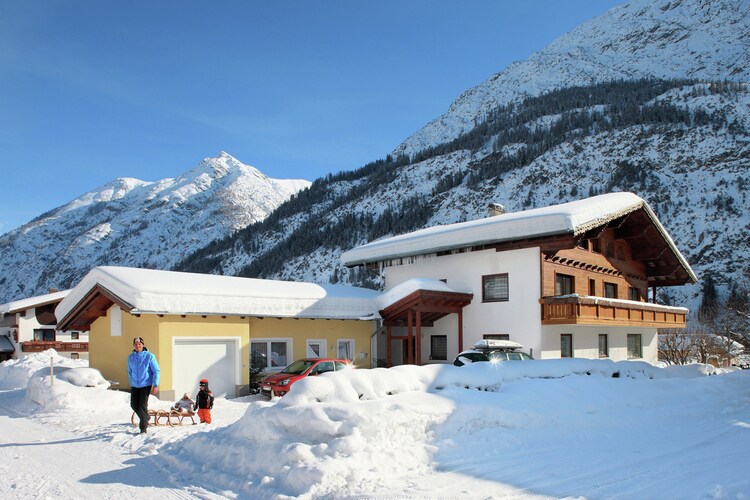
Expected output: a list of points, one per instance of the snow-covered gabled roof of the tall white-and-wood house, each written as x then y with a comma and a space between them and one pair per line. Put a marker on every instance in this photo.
575, 218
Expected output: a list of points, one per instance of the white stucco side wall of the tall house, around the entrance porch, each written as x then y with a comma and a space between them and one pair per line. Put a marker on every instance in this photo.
519, 317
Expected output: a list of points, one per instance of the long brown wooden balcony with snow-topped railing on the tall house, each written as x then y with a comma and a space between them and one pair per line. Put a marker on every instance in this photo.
586, 310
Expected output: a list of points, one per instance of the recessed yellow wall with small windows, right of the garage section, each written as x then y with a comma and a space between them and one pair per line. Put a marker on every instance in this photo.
300, 330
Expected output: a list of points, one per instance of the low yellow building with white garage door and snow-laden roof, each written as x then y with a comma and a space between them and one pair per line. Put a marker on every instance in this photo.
214, 327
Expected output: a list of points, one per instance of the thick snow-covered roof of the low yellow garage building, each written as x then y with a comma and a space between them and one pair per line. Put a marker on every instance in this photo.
168, 292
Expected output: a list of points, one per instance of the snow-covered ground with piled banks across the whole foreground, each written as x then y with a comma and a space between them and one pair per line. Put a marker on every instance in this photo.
541, 429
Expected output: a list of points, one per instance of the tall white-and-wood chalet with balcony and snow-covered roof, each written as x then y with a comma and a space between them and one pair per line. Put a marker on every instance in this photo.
572, 280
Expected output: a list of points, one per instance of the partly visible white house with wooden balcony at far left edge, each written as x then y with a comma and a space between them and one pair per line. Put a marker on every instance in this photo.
29, 325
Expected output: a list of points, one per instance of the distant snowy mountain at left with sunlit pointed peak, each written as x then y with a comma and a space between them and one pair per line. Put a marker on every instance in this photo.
138, 223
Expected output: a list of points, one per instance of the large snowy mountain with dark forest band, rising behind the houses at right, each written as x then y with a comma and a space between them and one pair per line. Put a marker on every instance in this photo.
548, 130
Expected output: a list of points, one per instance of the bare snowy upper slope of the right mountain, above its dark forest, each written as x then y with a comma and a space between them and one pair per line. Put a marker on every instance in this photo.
701, 39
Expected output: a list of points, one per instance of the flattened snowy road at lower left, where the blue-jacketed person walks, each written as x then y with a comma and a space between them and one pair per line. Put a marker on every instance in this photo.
47, 461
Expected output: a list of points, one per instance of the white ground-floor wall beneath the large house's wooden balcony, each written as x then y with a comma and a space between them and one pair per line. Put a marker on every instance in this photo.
586, 341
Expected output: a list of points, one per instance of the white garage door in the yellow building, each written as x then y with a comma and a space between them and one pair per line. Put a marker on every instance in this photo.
212, 359
